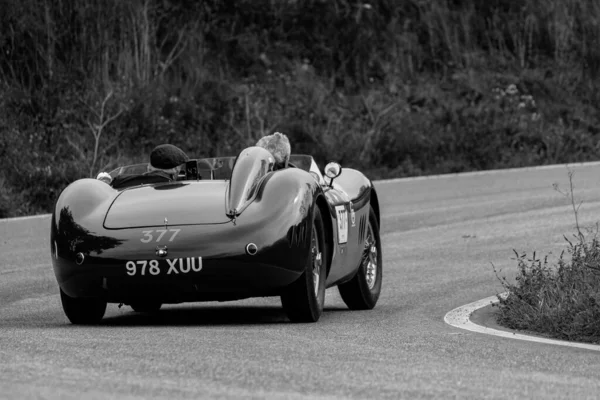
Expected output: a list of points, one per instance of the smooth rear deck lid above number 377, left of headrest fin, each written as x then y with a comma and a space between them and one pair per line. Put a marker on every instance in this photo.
180, 203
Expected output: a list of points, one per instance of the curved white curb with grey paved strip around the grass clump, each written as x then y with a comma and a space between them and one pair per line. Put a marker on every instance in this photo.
479, 317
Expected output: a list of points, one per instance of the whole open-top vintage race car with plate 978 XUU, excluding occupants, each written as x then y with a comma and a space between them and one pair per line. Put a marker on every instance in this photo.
227, 228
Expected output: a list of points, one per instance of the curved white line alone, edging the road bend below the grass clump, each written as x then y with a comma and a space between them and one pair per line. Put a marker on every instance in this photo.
461, 318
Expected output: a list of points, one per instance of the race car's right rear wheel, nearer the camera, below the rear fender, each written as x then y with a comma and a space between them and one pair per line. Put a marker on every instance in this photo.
304, 299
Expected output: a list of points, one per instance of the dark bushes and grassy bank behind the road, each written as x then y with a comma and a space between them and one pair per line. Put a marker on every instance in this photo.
394, 87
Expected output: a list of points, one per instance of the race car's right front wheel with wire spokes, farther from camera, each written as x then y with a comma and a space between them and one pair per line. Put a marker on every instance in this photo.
363, 290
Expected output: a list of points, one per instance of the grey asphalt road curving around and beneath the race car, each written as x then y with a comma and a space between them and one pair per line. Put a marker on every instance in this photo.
440, 238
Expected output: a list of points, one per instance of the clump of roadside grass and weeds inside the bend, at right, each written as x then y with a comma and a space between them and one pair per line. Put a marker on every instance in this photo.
559, 300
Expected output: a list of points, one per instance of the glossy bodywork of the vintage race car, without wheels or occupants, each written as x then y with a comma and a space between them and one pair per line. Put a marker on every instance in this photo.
204, 239
